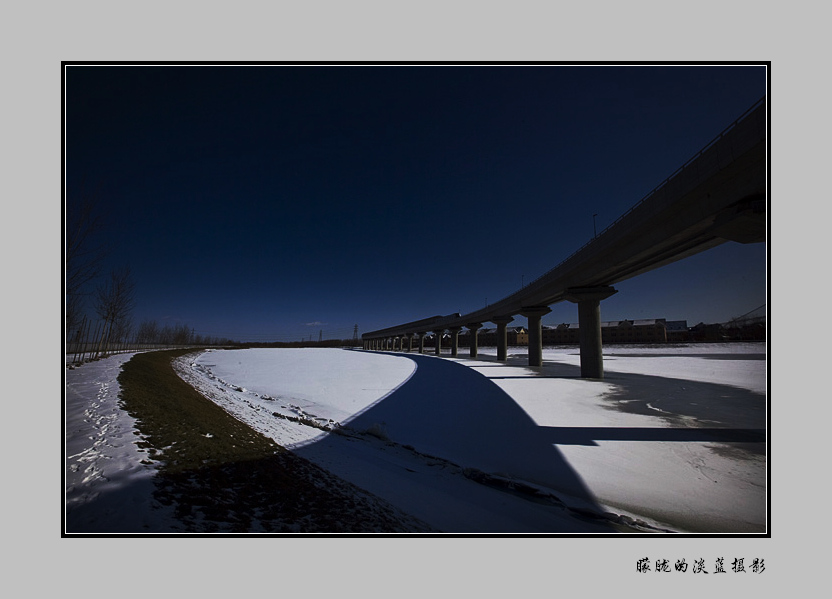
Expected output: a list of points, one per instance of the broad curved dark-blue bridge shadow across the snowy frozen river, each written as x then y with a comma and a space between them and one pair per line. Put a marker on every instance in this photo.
452, 412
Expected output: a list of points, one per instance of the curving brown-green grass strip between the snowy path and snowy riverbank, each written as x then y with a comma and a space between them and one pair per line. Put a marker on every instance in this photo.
223, 476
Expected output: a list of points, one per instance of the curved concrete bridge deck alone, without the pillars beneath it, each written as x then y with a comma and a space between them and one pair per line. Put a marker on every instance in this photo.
717, 196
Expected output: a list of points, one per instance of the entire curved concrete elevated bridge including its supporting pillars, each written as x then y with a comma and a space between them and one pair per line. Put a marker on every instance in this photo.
717, 196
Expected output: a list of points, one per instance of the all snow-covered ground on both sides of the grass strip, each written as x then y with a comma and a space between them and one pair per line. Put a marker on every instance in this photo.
669, 439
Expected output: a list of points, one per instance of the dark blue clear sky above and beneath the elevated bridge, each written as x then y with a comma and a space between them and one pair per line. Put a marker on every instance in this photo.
273, 202
